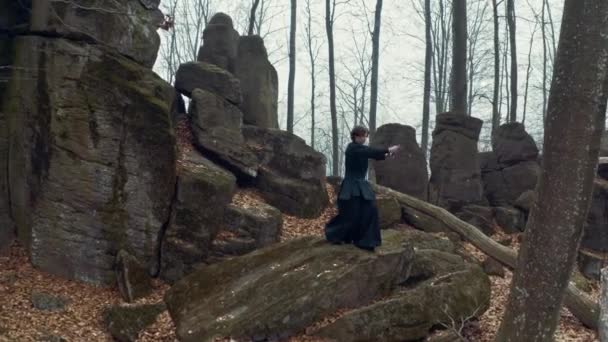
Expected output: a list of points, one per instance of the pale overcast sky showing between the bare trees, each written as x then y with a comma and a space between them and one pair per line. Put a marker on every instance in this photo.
401, 57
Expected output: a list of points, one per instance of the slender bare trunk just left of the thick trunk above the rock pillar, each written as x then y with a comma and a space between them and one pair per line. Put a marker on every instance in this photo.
428, 60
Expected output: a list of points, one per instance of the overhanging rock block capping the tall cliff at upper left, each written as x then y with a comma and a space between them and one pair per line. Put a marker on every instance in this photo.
126, 26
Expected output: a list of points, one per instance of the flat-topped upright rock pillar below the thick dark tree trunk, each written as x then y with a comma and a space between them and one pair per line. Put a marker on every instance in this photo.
455, 170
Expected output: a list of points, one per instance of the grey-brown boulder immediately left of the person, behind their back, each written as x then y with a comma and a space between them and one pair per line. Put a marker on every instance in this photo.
292, 174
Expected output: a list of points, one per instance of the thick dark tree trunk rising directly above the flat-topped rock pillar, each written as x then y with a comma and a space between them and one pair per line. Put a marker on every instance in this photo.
458, 89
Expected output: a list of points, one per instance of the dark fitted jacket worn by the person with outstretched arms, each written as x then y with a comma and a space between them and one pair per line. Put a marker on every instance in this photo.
354, 183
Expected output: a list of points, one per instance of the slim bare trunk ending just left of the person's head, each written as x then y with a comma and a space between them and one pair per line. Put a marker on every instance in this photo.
329, 18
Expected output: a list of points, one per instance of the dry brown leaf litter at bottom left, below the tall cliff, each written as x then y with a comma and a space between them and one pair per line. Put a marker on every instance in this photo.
81, 321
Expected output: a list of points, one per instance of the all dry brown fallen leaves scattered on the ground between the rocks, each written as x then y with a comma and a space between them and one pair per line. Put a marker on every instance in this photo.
82, 319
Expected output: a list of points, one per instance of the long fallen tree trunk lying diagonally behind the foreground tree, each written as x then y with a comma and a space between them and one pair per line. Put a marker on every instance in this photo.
430, 218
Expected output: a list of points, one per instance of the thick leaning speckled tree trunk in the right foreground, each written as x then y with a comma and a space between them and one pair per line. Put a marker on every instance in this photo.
576, 114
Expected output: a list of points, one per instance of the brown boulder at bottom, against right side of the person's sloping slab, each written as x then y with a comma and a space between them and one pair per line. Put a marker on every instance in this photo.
451, 290
